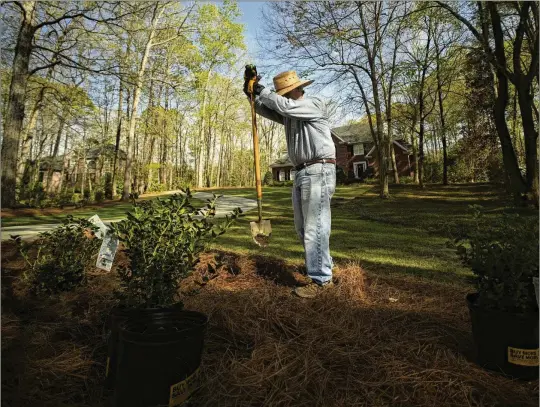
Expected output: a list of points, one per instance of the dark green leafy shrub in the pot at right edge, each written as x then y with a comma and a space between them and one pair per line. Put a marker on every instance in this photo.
504, 257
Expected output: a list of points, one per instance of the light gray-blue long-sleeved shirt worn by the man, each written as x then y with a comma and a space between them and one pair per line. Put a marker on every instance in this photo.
306, 125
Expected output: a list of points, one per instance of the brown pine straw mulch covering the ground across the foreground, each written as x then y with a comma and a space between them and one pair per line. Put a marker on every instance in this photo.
370, 341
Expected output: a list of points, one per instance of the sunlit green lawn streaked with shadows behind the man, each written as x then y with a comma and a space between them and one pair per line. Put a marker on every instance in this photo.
405, 234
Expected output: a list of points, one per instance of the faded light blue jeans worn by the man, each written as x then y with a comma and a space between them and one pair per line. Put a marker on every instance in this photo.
313, 188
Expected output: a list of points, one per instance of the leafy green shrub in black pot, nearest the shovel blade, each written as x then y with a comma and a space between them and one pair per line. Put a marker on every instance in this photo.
163, 239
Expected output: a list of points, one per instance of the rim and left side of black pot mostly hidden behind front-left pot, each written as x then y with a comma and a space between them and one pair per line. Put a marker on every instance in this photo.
116, 318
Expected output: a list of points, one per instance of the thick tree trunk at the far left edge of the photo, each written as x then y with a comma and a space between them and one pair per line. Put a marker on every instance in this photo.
16, 101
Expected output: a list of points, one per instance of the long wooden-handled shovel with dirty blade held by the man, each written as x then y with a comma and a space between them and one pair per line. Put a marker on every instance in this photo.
261, 230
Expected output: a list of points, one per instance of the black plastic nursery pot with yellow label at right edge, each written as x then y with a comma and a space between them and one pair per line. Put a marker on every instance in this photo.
505, 342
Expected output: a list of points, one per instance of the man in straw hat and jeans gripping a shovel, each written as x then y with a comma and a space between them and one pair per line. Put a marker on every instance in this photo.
312, 152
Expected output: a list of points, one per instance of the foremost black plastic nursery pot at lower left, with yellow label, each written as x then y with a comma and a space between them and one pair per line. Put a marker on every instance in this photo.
159, 359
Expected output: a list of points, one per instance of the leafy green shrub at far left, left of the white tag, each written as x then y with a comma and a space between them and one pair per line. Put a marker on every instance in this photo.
62, 258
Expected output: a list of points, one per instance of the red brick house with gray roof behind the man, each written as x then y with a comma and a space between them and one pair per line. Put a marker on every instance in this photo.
355, 155
